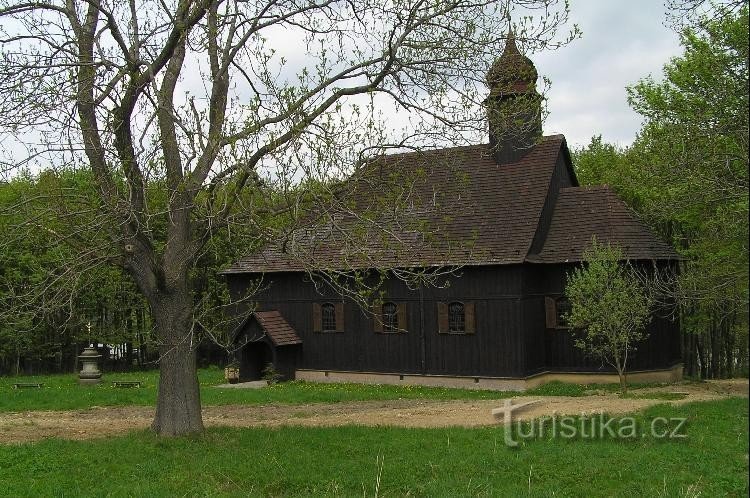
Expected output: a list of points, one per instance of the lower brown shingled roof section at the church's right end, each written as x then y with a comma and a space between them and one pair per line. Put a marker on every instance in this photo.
582, 213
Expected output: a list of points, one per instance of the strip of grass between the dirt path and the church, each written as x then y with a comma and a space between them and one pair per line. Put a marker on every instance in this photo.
62, 392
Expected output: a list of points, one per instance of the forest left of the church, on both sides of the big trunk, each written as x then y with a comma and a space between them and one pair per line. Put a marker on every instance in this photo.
56, 296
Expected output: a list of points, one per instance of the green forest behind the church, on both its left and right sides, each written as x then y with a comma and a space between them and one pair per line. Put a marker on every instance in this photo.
686, 175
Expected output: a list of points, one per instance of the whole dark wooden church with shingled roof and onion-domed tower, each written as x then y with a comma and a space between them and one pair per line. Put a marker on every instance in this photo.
508, 218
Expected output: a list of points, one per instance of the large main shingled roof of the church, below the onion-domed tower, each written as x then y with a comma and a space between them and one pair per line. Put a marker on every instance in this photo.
474, 211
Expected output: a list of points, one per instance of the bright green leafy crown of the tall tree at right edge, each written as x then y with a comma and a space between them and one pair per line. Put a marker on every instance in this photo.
695, 146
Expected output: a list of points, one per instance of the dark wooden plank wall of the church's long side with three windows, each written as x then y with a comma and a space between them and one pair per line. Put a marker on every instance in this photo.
494, 350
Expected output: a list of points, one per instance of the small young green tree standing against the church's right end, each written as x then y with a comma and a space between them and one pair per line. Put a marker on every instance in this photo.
610, 305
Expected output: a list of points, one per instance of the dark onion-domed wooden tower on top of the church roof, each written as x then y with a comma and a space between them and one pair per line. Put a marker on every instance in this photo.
514, 107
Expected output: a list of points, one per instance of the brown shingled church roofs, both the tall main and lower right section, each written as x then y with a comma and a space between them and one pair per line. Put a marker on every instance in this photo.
470, 210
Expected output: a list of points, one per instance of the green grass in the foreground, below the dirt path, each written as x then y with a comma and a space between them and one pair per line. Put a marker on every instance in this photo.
349, 461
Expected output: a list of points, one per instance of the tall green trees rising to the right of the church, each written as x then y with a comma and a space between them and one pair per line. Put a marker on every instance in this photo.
686, 175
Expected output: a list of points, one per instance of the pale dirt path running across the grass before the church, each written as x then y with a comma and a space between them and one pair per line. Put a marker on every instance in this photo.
106, 421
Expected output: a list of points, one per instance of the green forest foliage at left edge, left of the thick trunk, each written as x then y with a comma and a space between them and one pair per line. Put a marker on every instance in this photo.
52, 277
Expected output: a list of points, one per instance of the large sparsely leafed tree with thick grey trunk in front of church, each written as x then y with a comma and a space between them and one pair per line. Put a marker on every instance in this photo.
196, 116
